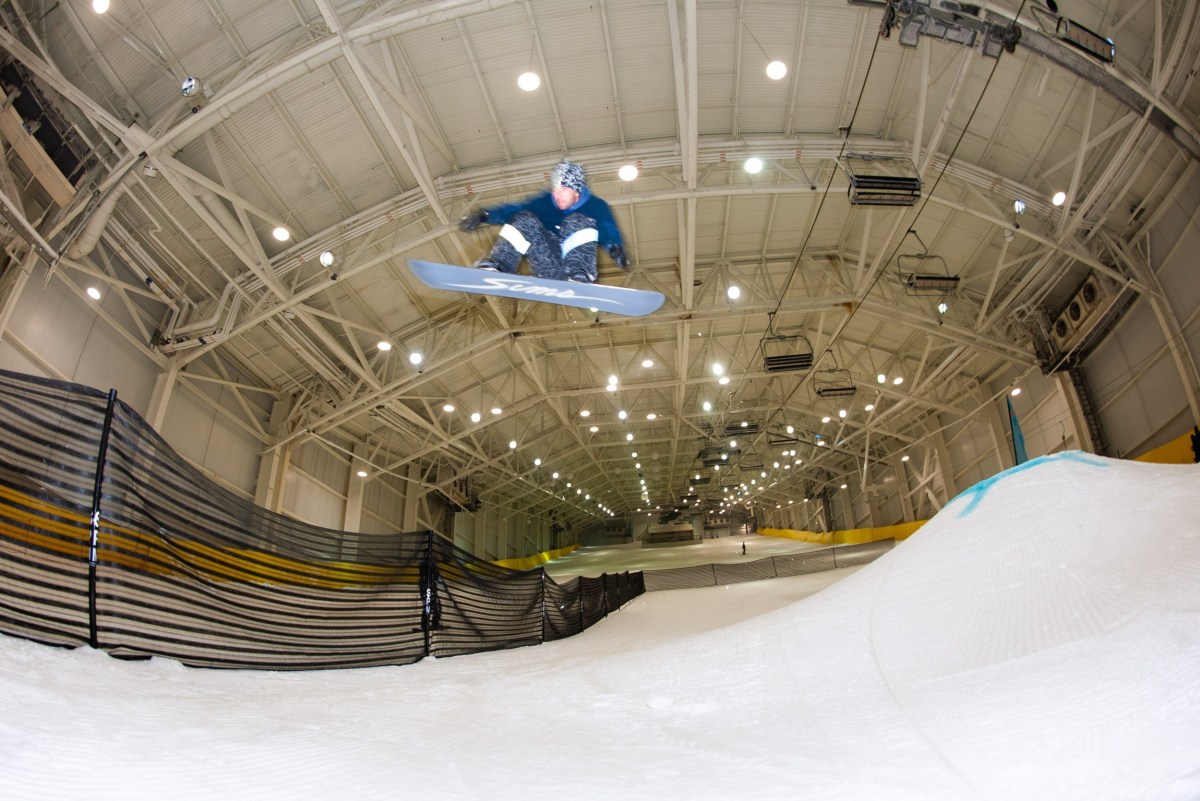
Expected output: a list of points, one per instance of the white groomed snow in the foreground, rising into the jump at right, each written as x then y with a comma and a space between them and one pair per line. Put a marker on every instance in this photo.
1040, 639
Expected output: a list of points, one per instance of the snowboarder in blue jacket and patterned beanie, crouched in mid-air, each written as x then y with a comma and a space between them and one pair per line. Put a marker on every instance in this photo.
556, 231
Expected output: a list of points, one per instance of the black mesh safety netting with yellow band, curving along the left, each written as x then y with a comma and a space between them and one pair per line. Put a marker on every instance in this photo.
110, 538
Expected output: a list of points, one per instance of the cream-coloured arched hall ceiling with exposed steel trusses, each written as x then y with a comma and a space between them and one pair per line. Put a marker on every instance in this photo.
369, 129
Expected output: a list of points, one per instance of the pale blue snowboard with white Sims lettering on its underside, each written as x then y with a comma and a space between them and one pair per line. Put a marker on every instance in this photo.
617, 300
